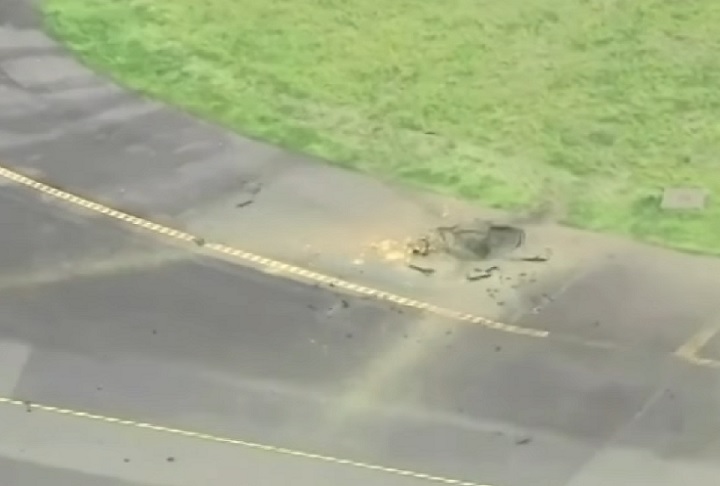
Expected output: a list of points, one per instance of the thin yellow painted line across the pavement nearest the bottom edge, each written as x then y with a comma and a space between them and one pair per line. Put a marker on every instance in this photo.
31, 406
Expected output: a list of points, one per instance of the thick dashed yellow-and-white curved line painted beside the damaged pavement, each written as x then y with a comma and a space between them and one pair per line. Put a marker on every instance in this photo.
264, 263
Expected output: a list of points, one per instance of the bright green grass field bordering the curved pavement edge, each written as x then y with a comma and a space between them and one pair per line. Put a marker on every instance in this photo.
591, 105
